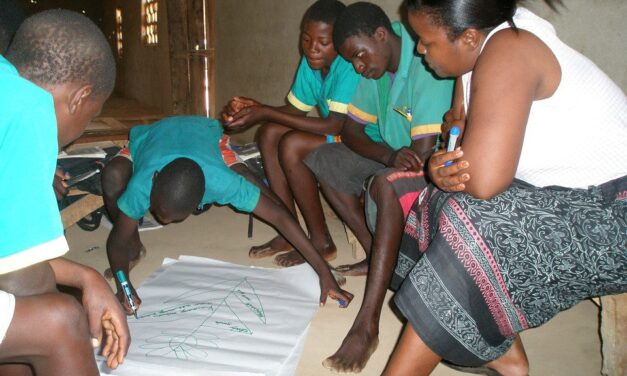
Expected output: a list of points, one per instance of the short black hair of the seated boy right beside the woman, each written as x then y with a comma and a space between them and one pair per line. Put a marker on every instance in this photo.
359, 18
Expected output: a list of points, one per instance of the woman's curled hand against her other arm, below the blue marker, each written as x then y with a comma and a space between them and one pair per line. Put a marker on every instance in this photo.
449, 178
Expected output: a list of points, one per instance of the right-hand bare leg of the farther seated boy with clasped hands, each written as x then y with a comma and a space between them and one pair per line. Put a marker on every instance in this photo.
293, 149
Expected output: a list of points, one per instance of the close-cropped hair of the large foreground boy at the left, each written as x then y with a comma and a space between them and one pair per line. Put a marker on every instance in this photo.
60, 46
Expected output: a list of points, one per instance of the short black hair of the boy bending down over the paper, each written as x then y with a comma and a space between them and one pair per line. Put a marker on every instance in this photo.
179, 186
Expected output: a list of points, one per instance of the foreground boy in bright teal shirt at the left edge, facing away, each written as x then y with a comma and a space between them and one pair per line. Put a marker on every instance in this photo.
58, 72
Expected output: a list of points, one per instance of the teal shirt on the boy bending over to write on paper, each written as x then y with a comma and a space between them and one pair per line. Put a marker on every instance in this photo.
153, 146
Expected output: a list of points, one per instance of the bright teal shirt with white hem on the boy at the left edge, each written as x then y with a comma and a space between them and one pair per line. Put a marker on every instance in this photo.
30, 224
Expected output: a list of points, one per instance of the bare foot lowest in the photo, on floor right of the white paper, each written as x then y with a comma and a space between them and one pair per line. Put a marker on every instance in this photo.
354, 352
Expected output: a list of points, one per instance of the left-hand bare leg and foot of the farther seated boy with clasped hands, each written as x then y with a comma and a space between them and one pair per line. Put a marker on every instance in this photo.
269, 136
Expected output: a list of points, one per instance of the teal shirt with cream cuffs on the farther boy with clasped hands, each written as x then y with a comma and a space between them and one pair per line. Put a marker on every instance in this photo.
333, 93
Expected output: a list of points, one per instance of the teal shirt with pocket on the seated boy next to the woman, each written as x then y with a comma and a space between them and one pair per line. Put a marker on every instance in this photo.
387, 102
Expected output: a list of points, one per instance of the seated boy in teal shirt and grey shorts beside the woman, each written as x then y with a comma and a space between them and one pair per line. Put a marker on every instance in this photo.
393, 121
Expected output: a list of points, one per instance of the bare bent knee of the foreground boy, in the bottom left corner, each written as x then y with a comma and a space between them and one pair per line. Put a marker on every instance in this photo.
50, 333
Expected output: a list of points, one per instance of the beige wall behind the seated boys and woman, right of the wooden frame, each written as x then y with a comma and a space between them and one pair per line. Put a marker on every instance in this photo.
257, 42
